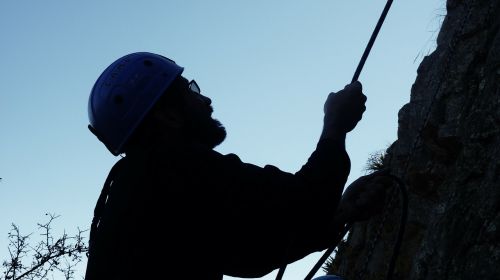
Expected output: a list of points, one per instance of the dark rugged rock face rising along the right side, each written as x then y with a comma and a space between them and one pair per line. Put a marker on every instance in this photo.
448, 154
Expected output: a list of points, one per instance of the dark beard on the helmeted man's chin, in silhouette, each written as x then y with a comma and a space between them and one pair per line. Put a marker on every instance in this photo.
206, 131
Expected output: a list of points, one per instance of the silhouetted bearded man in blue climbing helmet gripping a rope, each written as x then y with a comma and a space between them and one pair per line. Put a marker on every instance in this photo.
174, 208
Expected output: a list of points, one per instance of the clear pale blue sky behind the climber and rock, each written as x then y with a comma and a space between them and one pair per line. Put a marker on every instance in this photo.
267, 65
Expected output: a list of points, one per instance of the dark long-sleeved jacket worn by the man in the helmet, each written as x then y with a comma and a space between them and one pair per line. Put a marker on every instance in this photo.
192, 213
